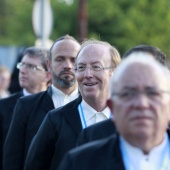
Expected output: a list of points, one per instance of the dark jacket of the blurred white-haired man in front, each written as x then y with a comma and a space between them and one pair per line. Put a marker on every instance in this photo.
103, 154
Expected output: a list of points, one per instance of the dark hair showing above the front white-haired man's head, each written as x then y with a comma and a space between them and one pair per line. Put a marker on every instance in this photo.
154, 51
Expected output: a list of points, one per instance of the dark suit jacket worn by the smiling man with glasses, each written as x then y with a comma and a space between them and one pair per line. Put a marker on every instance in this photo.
57, 134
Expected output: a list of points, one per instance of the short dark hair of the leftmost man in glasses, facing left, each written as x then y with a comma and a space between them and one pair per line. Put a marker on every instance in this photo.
37, 52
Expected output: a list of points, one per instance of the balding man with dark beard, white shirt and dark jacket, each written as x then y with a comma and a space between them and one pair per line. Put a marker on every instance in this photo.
30, 111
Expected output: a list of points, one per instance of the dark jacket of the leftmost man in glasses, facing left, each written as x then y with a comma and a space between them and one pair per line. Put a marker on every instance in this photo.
6, 109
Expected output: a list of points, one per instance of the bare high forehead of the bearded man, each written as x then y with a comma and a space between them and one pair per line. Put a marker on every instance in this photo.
65, 48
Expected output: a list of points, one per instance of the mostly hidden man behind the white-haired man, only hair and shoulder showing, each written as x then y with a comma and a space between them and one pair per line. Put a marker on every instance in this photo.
107, 127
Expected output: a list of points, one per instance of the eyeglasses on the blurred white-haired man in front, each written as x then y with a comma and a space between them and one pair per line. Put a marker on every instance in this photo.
152, 94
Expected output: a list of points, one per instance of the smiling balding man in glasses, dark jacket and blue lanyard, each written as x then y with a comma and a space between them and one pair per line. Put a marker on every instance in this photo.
58, 133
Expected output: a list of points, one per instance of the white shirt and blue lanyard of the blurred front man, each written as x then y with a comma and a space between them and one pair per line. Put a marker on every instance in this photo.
157, 159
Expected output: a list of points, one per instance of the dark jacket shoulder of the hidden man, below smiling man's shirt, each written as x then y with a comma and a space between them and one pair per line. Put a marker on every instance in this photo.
97, 131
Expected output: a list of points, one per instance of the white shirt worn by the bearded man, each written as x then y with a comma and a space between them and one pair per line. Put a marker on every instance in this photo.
60, 99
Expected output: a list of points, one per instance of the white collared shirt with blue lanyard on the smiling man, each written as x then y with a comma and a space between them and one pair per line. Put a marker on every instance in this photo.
90, 116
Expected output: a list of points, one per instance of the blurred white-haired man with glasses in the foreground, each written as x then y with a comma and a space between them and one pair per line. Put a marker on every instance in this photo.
140, 97
